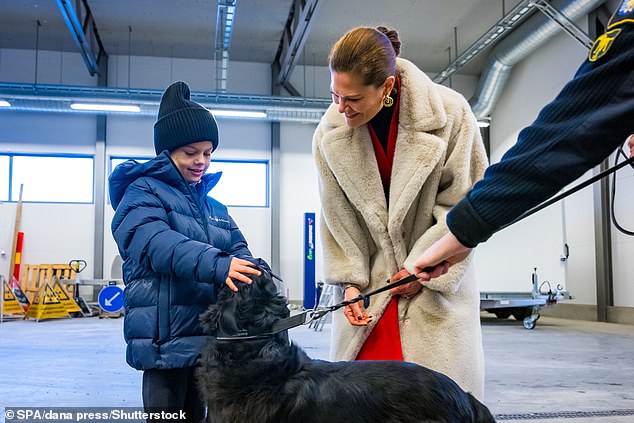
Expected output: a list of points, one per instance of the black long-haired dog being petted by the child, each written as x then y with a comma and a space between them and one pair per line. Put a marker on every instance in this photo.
264, 379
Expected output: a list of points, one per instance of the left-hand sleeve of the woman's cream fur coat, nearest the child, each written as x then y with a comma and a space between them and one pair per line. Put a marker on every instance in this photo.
345, 247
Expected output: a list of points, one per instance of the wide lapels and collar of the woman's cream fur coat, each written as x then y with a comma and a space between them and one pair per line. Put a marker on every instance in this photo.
419, 150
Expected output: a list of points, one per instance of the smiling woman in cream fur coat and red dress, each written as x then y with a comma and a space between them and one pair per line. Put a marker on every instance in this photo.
394, 152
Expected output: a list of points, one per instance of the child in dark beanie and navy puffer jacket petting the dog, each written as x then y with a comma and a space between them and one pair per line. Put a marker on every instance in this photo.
179, 246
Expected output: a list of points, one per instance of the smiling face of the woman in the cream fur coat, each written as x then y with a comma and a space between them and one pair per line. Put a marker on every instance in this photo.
359, 103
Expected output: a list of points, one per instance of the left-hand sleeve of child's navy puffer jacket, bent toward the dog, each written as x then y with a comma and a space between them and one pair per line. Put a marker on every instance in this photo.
142, 232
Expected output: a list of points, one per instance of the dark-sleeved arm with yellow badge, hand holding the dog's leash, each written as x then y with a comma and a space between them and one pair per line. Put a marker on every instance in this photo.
584, 124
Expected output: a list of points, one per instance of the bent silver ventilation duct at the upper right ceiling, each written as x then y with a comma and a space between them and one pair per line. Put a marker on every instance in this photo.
518, 45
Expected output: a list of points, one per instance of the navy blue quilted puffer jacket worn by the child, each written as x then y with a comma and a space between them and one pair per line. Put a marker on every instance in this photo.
176, 243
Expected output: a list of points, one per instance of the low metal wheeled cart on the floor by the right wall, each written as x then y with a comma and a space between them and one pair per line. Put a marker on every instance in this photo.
523, 306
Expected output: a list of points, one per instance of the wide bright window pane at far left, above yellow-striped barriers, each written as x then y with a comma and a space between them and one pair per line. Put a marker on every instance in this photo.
59, 179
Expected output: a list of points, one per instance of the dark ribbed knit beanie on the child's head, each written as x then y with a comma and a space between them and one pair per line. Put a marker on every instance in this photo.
181, 121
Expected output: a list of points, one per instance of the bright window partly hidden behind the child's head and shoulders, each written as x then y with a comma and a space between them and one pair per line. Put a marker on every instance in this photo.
243, 183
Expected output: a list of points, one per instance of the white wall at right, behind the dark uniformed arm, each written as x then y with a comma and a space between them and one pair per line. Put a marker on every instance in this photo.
505, 262
